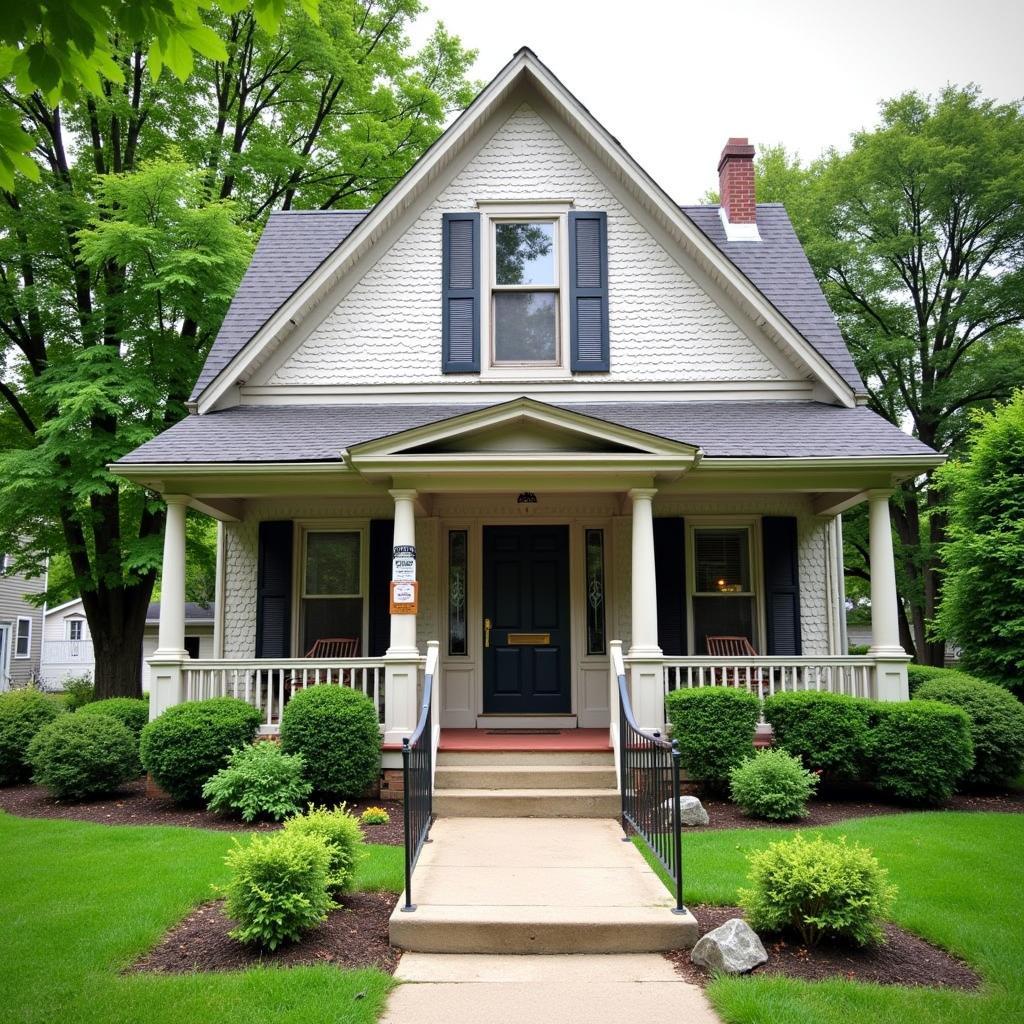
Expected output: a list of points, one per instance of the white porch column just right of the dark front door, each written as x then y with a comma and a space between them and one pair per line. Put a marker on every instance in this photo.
647, 686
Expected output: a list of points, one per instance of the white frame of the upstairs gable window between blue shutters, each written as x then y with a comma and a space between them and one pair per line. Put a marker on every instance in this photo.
493, 214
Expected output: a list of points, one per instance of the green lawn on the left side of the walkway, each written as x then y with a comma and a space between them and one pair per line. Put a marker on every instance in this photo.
80, 902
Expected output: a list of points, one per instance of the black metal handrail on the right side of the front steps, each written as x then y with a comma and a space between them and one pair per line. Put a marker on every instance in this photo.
650, 782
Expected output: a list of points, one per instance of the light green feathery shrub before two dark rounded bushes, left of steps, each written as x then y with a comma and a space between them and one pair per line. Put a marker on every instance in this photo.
260, 781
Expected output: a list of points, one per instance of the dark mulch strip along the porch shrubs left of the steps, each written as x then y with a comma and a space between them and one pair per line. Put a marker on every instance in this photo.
133, 806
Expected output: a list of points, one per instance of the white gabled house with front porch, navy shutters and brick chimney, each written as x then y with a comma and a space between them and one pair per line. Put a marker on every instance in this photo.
569, 409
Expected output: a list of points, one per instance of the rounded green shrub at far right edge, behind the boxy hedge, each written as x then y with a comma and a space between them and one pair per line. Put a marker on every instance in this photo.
997, 726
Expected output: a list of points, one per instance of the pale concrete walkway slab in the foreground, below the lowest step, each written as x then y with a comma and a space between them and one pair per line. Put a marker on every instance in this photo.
589, 990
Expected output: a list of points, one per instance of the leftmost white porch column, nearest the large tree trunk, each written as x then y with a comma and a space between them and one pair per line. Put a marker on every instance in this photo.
165, 666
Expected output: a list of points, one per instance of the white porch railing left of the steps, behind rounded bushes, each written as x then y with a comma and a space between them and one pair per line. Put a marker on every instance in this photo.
268, 684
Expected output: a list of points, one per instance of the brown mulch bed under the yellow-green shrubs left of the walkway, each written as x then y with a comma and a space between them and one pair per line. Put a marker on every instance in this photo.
356, 935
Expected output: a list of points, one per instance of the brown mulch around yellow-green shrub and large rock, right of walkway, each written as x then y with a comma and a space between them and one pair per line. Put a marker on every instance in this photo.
903, 960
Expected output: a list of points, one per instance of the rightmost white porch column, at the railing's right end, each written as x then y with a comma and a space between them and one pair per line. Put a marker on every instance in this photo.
891, 680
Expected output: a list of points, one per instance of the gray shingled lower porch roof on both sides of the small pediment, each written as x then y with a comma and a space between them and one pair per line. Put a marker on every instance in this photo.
723, 430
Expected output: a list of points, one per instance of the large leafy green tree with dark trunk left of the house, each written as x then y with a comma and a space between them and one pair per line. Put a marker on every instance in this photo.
118, 263
